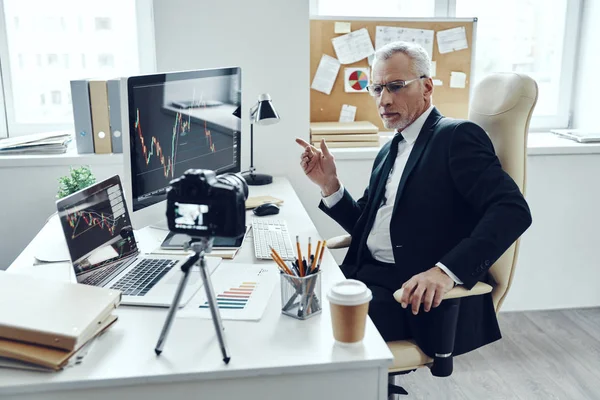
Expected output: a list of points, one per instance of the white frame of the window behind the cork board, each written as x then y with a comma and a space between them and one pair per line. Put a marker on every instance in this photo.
562, 119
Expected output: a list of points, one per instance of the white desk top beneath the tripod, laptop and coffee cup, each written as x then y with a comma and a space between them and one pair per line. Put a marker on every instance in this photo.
276, 345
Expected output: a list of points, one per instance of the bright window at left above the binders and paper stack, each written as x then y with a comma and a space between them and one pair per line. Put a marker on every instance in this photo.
45, 45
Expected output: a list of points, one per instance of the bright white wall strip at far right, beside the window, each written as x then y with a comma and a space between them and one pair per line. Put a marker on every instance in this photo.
587, 86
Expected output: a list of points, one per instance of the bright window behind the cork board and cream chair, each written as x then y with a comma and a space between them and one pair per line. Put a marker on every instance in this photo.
527, 36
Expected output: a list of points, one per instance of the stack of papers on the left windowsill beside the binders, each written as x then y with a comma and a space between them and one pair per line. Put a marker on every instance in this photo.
39, 143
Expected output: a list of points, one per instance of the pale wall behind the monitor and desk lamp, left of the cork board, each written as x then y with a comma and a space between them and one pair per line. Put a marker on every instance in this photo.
269, 40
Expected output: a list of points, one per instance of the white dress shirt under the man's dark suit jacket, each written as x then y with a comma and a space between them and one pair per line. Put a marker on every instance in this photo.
379, 241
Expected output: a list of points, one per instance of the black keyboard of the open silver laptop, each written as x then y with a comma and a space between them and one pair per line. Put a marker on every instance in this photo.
144, 276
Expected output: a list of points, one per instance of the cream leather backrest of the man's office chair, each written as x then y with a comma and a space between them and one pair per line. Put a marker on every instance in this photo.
502, 105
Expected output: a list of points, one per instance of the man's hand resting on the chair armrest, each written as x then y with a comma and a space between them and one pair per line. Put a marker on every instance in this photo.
428, 287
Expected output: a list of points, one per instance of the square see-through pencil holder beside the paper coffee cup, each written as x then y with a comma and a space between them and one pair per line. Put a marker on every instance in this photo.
301, 296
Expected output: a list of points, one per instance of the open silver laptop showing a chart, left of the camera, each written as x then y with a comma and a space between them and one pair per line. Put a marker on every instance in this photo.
104, 251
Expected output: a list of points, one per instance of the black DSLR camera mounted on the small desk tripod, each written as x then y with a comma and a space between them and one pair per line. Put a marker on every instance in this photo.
201, 204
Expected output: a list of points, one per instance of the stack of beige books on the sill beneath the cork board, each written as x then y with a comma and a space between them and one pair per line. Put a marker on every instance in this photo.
345, 134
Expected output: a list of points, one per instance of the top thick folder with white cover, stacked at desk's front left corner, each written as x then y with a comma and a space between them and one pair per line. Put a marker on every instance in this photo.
56, 314
